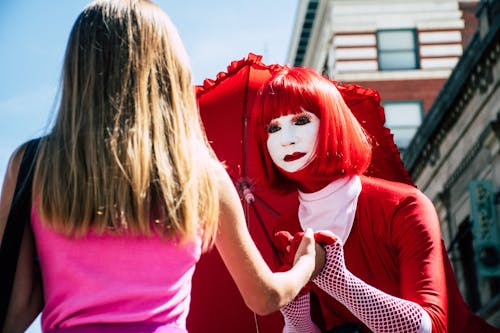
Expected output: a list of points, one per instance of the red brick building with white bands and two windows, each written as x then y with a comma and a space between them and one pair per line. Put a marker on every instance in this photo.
404, 49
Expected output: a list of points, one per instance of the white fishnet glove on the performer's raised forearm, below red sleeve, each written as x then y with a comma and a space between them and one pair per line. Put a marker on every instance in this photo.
382, 313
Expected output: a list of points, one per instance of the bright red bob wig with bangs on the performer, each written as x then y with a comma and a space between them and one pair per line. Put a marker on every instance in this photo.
342, 149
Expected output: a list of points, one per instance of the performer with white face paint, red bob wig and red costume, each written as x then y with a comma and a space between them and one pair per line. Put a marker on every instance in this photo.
386, 268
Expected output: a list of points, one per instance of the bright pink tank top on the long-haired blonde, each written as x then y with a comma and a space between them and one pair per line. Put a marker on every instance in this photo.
114, 280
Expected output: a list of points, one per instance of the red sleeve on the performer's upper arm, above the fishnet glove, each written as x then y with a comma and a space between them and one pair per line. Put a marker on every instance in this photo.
416, 233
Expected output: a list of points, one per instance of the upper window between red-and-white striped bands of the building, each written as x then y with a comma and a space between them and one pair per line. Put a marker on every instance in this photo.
397, 49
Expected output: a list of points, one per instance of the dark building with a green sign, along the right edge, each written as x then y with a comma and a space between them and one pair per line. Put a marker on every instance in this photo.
455, 159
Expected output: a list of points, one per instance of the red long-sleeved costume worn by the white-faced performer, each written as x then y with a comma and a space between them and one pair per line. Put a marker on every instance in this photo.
385, 249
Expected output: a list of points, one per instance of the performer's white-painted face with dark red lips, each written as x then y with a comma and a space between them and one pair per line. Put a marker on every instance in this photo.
292, 140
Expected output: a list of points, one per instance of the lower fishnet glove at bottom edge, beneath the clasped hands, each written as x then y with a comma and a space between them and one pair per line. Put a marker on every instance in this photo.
297, 316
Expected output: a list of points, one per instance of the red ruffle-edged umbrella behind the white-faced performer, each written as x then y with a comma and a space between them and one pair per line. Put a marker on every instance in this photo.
225, 106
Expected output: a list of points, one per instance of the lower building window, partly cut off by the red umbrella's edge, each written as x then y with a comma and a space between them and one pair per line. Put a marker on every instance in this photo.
403, 119
